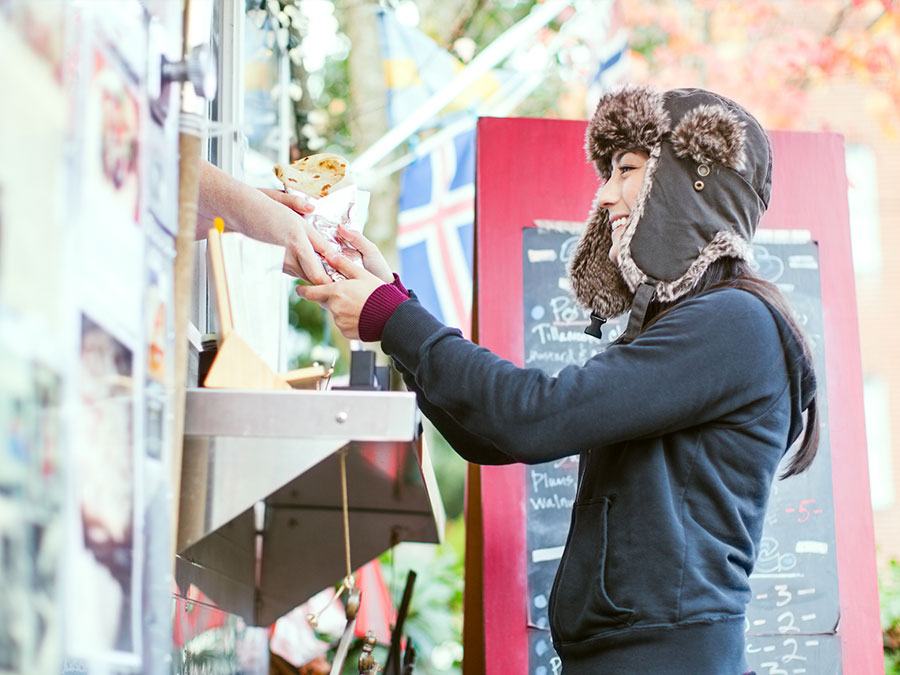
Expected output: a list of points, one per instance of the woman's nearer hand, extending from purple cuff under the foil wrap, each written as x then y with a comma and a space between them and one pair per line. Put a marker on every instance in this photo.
344, 299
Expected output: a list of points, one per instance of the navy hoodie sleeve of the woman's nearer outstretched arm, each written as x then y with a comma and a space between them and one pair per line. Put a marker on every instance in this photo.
716, 358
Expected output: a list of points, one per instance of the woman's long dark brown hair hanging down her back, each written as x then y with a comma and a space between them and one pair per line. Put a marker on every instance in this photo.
734, 273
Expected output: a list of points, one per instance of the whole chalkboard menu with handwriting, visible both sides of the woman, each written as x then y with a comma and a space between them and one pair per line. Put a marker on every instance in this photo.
794, 611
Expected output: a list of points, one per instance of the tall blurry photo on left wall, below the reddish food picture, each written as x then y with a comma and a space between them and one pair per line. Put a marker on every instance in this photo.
103, 556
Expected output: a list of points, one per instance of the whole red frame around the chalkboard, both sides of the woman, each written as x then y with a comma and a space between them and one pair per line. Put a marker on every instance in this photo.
531, 169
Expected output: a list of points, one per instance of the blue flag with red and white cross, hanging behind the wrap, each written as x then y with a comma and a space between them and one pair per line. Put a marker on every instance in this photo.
436, 227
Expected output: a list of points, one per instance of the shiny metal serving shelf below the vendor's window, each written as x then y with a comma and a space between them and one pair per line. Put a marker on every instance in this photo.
260, 526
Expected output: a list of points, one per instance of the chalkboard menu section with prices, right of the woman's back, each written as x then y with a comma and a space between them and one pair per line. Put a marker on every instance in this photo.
793, 616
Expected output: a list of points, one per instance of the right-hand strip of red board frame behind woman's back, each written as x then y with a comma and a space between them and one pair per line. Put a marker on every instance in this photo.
810, 193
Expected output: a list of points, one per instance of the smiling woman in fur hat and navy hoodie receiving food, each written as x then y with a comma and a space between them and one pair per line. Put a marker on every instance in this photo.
680, 424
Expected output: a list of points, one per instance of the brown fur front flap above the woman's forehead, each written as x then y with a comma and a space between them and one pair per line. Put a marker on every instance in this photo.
626, 119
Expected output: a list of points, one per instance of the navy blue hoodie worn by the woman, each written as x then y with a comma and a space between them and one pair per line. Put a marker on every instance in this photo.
679, 434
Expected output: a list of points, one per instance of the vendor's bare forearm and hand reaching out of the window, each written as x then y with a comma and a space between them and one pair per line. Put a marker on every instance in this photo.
268, 215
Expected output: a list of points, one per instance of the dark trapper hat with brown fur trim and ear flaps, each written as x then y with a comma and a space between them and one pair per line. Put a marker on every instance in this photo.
706, 185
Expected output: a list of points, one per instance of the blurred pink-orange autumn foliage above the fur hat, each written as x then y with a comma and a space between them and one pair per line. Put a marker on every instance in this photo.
772, 56
